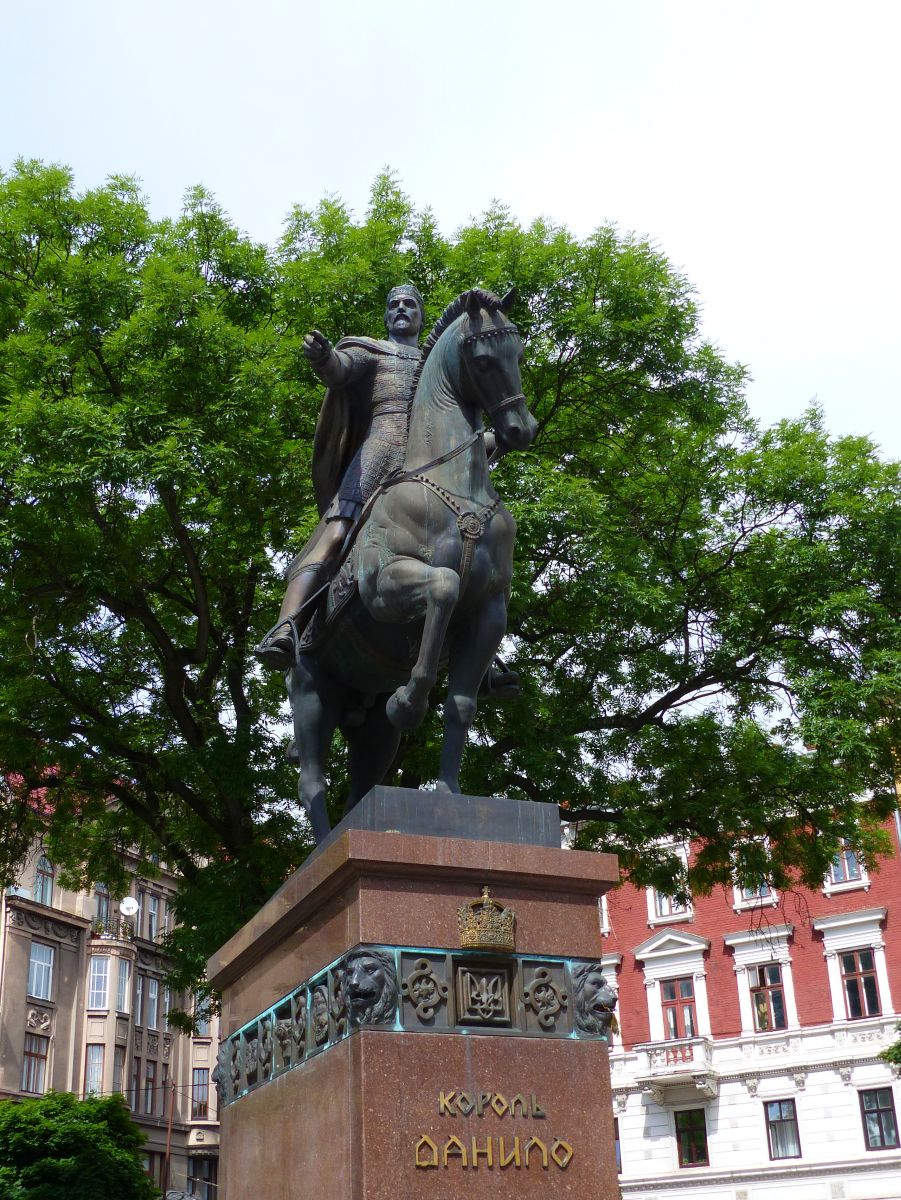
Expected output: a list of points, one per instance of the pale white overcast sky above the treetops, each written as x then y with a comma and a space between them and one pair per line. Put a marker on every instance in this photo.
756, 142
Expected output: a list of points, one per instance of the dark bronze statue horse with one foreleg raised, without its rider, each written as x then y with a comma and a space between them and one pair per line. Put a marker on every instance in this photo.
429, 577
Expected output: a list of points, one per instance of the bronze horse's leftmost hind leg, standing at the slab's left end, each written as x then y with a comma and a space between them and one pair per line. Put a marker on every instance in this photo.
316, 711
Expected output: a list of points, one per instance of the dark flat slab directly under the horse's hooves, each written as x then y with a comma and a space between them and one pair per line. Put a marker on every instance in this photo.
439, 815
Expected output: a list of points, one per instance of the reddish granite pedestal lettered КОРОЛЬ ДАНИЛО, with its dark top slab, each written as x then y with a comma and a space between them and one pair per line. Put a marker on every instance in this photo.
369, 1057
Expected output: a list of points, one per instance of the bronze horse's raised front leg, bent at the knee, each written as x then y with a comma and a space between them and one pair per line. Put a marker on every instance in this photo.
409, 591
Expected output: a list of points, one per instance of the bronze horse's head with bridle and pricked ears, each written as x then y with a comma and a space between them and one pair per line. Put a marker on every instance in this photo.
491, 353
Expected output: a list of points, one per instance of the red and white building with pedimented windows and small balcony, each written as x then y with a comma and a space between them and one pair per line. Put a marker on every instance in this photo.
747, 1066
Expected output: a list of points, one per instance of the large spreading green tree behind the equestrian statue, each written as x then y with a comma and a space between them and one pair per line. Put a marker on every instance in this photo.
705, 614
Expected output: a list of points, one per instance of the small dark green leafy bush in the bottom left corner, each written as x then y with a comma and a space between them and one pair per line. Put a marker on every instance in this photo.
83, 1150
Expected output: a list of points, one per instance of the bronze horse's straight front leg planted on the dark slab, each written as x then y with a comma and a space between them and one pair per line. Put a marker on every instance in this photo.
471, 656
